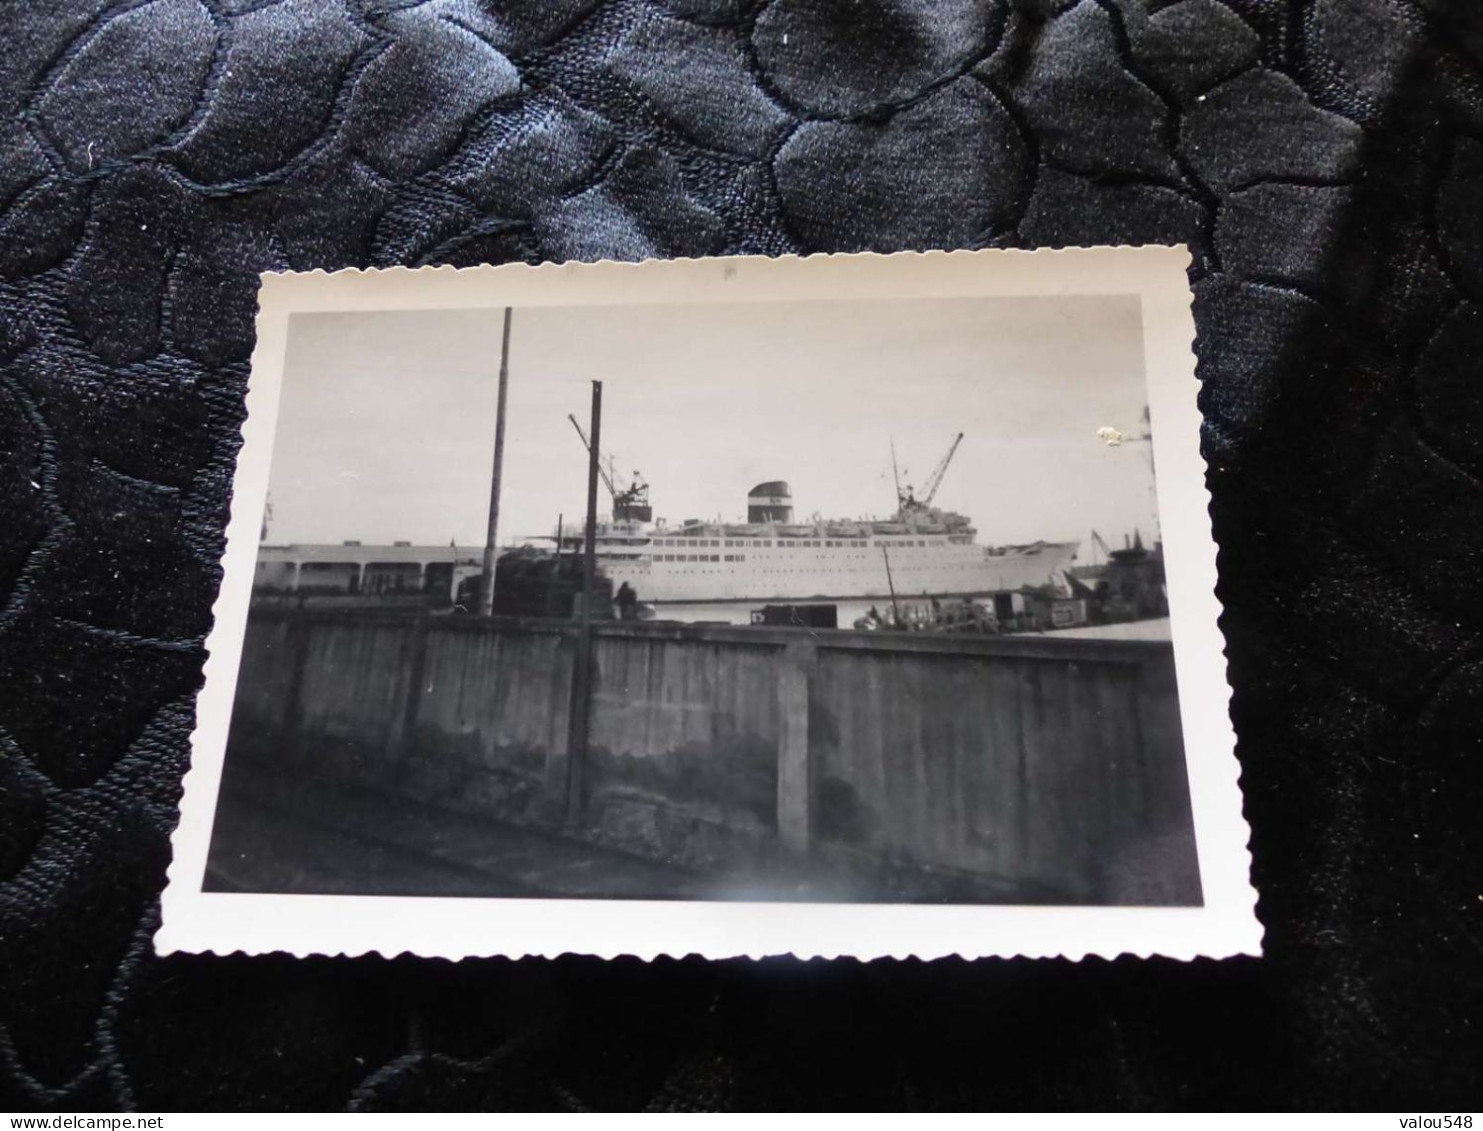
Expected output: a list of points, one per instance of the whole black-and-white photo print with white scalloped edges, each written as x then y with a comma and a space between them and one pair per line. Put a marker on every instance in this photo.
839, 606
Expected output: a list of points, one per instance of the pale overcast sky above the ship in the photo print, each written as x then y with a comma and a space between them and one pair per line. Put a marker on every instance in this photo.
386, 425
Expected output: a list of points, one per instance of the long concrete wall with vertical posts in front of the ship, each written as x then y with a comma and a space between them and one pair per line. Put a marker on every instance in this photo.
1043, 769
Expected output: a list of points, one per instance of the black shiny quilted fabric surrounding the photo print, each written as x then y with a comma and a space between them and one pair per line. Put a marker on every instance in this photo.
1322, 158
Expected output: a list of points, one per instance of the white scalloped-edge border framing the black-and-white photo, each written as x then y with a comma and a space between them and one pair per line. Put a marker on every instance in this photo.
459, 927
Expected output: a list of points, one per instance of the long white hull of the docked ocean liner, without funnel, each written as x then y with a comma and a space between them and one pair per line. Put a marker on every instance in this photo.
726, 570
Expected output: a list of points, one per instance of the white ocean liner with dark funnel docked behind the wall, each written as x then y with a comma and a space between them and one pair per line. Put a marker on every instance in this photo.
922, 551
